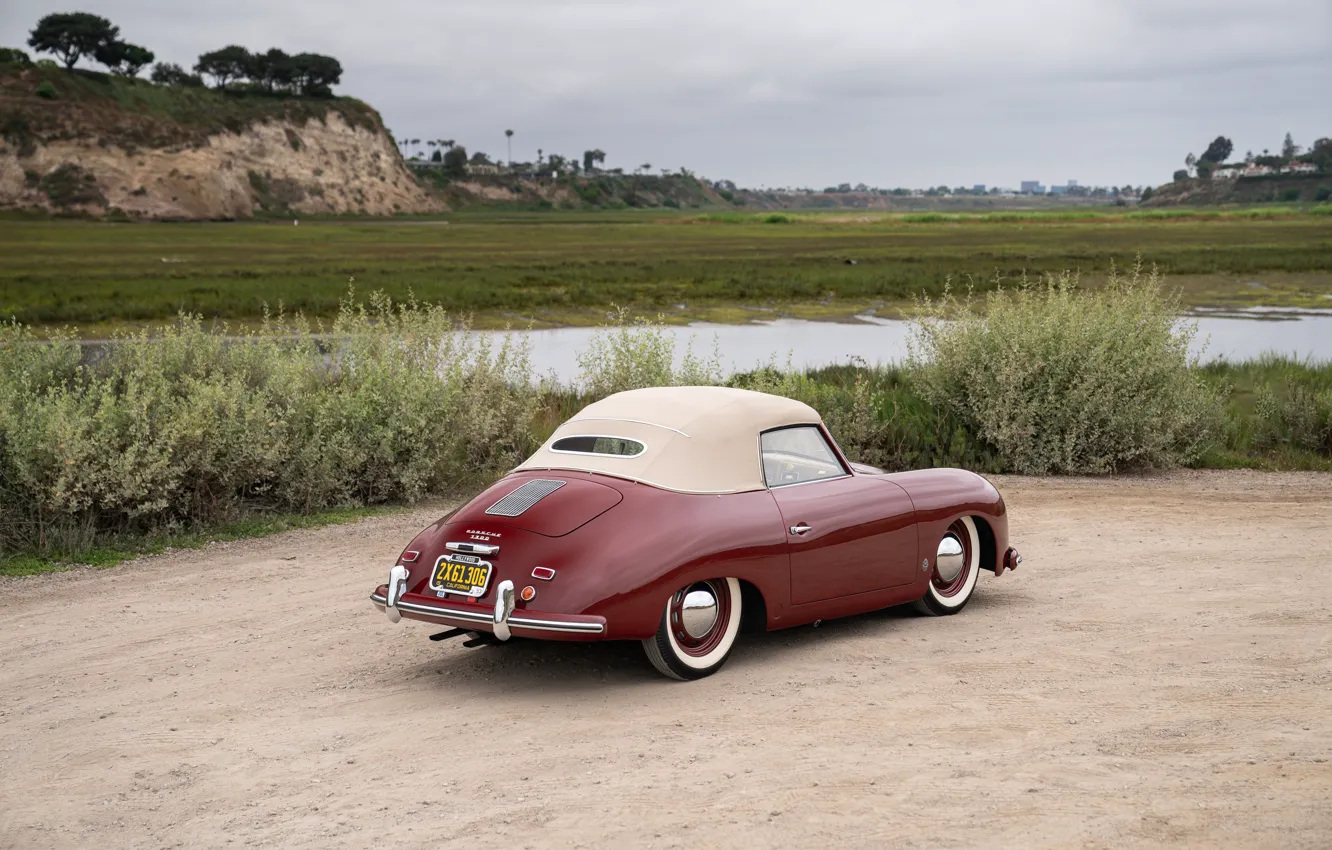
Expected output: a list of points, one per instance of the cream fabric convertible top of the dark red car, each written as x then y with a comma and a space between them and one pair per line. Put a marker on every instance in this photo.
700, 439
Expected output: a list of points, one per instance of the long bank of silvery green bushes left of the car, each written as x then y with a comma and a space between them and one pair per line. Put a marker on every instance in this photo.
190, 427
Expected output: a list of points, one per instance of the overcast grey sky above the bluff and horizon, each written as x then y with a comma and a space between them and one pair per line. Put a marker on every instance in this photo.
800, 93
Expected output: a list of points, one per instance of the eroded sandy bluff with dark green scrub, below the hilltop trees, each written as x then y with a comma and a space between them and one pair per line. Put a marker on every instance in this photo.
78, 142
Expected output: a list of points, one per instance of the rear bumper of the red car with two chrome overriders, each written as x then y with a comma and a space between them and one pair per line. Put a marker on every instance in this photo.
503, 620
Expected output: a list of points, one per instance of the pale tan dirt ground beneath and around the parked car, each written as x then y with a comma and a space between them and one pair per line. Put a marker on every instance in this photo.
1158, 673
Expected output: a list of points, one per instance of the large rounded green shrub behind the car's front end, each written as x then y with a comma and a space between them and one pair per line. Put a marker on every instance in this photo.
1062, 380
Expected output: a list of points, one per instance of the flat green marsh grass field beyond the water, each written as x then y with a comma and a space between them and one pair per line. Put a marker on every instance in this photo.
569, 267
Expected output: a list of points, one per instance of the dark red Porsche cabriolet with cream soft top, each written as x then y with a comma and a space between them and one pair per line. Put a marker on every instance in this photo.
675, 516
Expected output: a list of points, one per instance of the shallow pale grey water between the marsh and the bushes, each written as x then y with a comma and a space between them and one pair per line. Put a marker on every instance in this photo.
811, 344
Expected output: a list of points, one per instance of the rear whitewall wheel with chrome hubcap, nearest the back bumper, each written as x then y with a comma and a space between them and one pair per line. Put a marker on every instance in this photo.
697, 631
